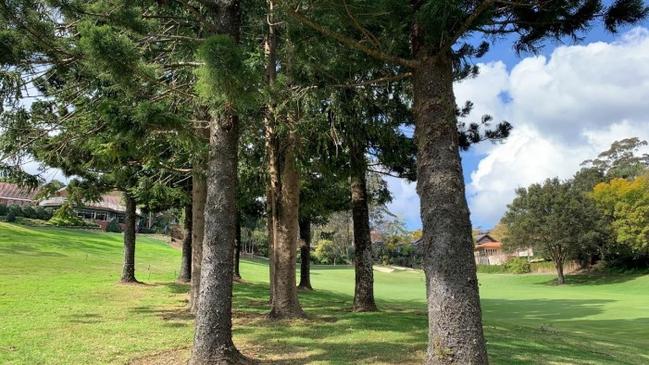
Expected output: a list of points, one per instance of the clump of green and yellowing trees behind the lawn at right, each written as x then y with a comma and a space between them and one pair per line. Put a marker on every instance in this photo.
598, 217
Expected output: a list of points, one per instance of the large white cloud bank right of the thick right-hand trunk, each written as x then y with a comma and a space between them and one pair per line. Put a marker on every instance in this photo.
565, 109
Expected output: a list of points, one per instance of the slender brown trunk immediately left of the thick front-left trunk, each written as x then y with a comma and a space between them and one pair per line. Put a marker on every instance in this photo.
199, 194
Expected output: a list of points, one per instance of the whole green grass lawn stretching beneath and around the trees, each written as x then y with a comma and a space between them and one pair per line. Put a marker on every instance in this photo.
60, 303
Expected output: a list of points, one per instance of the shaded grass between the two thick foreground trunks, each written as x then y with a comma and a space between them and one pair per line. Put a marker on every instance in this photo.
331, 333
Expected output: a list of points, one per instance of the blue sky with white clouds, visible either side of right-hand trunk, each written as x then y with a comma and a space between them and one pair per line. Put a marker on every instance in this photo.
552, 140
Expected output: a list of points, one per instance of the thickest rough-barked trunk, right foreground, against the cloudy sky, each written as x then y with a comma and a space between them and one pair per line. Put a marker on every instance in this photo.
454, 317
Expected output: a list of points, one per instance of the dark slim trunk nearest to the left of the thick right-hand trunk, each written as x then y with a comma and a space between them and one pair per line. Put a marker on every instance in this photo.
364, 289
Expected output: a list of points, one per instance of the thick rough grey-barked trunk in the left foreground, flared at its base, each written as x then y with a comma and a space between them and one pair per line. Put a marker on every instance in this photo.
213, 343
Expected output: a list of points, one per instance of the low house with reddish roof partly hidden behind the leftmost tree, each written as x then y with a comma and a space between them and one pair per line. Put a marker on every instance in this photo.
110, 206
